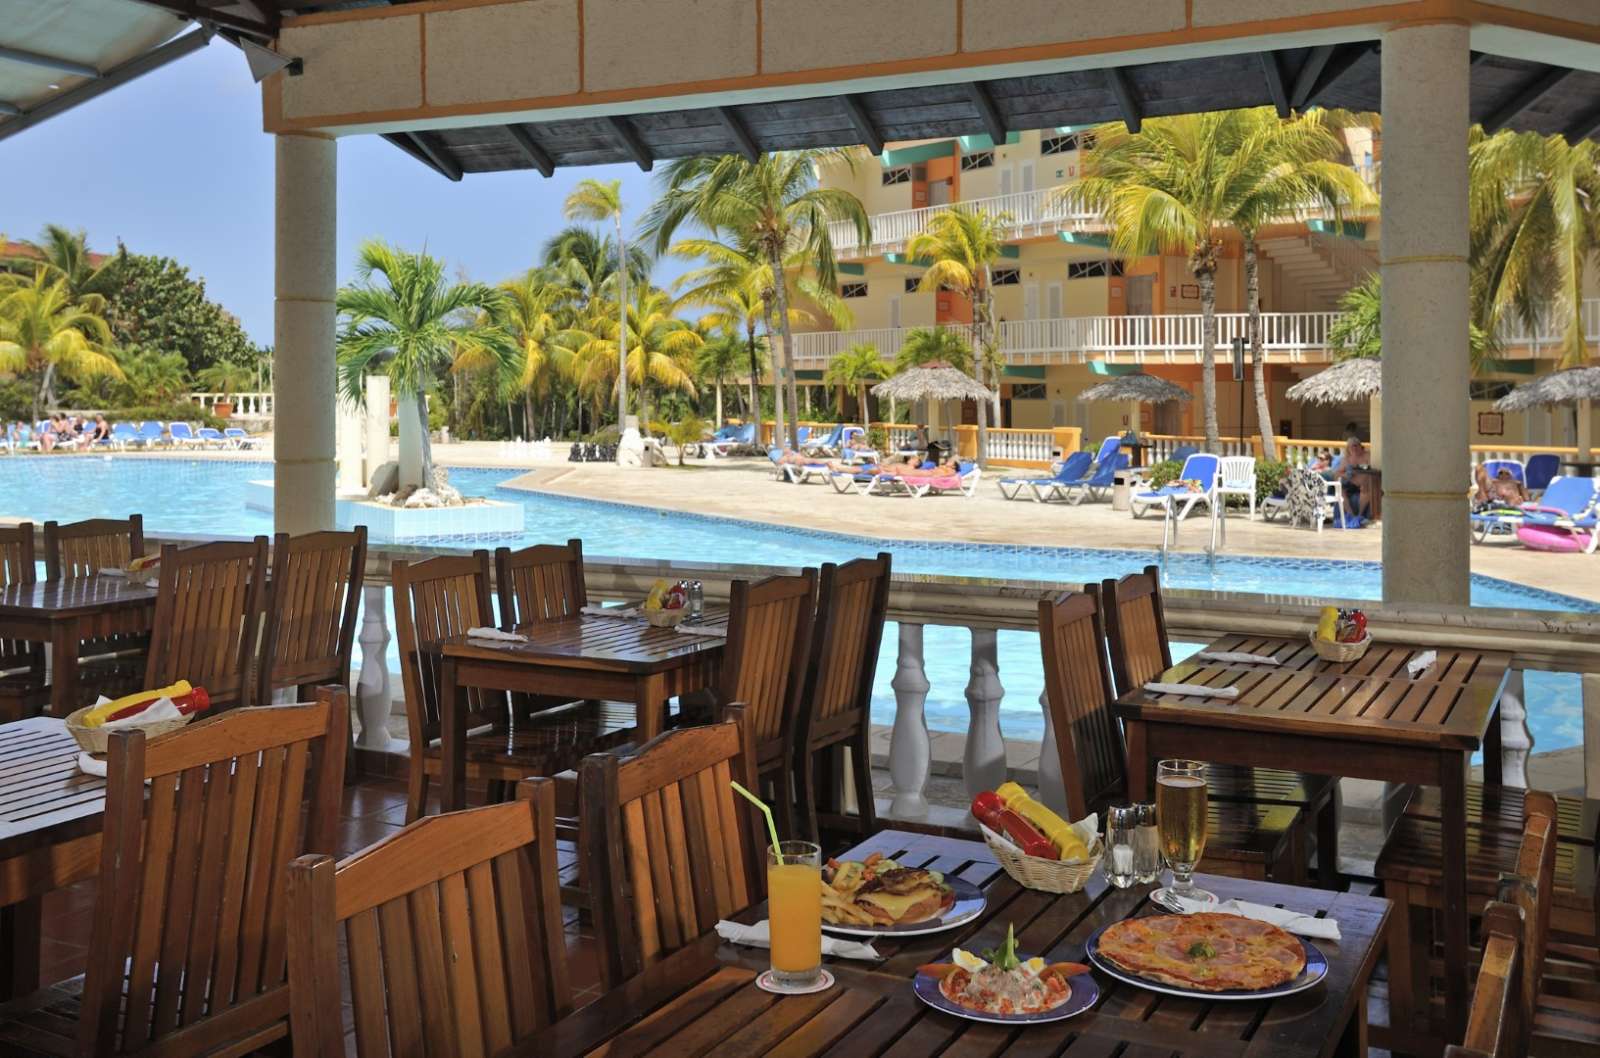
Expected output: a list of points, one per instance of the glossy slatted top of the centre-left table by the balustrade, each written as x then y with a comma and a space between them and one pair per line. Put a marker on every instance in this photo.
596, 641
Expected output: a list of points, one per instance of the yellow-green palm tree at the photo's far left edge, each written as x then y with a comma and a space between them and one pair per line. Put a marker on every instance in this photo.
46, 332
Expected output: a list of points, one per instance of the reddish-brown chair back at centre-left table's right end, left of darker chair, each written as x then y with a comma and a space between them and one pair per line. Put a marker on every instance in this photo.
764, 663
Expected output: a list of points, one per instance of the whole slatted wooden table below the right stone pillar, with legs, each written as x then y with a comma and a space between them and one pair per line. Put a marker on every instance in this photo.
1366, 719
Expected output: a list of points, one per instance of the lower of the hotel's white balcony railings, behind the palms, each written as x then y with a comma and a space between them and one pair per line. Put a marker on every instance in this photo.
1287, 339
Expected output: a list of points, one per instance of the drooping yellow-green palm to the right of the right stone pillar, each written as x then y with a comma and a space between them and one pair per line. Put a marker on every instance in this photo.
1535, 222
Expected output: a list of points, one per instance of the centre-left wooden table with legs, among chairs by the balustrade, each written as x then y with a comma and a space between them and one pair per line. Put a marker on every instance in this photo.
585, 657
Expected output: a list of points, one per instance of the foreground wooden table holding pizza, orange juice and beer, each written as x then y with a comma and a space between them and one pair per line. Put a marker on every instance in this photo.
705, 1000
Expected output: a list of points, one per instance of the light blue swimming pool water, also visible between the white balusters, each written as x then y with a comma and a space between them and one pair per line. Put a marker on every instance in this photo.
207, 499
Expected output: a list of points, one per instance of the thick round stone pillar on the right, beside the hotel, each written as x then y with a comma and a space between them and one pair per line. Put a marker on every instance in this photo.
1425, 313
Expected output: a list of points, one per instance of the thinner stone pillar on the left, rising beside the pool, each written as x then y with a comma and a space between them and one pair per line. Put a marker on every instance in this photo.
303, 371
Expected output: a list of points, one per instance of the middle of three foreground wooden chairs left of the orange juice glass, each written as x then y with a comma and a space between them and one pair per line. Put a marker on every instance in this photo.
454, 931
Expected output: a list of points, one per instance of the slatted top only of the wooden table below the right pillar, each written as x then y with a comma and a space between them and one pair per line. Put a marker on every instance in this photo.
1370, 699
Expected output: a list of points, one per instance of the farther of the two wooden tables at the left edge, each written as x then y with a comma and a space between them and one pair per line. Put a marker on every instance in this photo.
70, 612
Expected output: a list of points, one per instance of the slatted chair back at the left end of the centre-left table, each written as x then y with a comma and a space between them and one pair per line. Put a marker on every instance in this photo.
434, 601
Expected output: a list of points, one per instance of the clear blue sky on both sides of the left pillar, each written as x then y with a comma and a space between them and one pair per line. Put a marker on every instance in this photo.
177, 166
